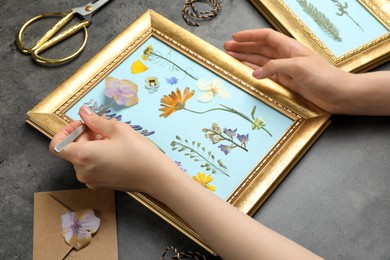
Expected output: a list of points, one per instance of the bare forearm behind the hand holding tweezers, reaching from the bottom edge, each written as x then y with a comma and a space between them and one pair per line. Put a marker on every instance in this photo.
231, 233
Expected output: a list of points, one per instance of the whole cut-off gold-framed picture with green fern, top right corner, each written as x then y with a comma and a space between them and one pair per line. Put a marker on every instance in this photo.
353, 35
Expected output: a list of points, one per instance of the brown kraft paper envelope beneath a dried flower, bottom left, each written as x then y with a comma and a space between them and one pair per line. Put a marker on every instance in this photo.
48, 208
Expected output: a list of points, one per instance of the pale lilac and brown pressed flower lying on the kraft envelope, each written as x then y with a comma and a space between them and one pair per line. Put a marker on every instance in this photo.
78, 227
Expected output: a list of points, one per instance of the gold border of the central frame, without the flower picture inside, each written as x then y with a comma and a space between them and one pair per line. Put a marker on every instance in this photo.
48, 116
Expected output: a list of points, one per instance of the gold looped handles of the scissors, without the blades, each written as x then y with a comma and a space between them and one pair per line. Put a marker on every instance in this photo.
48, 40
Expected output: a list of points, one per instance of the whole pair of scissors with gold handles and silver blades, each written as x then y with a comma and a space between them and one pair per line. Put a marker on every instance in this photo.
48, 40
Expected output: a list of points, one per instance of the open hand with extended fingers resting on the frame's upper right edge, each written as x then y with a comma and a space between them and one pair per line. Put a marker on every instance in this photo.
291, 64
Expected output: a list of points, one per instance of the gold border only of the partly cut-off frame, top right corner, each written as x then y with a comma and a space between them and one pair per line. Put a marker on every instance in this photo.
363, 58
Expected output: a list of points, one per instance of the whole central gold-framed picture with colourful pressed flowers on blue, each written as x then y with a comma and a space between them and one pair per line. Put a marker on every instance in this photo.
244, 140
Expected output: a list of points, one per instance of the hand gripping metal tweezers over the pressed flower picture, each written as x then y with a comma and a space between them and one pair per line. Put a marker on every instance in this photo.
112, 155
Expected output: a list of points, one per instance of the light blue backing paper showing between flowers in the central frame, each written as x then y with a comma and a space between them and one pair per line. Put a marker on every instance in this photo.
188, 125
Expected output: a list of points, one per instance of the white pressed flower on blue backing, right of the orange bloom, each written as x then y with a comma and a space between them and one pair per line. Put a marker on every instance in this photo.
210, 89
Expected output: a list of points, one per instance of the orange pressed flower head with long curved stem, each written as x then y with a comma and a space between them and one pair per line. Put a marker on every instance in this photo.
175, 101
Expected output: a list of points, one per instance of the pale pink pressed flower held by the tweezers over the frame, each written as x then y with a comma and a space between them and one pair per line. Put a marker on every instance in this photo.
124, 92
